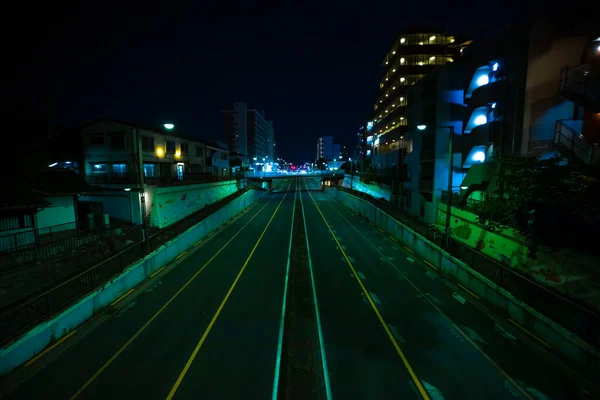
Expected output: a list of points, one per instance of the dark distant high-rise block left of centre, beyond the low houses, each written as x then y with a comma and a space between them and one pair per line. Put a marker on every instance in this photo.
248, 132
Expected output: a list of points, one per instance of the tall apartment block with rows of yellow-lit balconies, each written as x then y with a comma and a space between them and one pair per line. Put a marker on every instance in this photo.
411, 57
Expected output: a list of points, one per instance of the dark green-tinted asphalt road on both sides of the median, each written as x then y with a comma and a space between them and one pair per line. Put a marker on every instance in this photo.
208, 326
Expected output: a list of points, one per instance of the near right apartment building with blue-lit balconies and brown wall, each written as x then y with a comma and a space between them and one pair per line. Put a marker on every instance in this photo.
533, 91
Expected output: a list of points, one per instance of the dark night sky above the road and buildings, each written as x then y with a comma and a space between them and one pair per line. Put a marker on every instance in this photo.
314, 69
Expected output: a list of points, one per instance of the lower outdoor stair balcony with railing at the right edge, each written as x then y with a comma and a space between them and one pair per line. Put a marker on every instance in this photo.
566, 135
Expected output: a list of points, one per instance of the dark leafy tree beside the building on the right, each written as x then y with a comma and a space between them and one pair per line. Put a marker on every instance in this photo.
539, 200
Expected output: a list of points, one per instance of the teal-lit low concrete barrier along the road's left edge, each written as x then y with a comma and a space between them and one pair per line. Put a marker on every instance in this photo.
36, 340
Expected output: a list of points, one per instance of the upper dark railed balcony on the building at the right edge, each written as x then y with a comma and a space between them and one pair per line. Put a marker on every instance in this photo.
581, 85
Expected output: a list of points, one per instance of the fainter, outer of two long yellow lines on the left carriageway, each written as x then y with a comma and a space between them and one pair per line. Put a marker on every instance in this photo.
181, 289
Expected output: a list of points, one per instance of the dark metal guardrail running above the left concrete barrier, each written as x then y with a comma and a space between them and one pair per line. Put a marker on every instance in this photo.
17, 318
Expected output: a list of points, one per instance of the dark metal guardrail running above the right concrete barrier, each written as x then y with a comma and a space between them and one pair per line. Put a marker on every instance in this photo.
570, 314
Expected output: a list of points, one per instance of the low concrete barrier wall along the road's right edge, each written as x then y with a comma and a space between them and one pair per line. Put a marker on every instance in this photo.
540, 325
